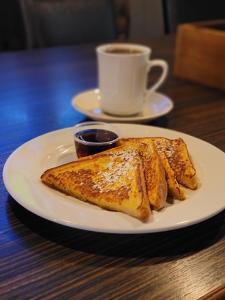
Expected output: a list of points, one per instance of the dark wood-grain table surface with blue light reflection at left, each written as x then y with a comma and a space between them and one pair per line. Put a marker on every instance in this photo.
43, 260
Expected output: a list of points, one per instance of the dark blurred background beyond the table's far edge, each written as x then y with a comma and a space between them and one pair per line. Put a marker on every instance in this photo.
43, 23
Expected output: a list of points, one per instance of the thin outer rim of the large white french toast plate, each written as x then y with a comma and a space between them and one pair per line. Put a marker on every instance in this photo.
96, 229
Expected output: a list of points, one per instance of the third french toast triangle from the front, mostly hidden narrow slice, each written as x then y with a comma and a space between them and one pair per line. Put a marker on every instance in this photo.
174, 187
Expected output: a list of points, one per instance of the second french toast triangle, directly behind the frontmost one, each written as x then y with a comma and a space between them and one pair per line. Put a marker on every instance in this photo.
154, 171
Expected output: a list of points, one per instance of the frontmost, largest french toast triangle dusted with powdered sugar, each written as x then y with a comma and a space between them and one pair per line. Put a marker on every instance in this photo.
113, 179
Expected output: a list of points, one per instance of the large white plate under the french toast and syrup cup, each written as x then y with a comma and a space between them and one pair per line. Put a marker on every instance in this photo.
23, 169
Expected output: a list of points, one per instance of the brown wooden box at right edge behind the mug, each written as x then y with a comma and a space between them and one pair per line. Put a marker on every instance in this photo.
200, 53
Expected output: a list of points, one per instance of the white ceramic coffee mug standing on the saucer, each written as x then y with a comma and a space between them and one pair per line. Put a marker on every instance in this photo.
122, 76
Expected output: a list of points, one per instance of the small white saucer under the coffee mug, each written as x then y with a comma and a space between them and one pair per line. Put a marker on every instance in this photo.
89, 103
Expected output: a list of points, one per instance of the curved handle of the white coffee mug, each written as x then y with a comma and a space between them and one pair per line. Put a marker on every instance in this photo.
159, 63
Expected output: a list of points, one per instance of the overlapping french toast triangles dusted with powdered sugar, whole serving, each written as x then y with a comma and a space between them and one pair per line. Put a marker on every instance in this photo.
134, 177
